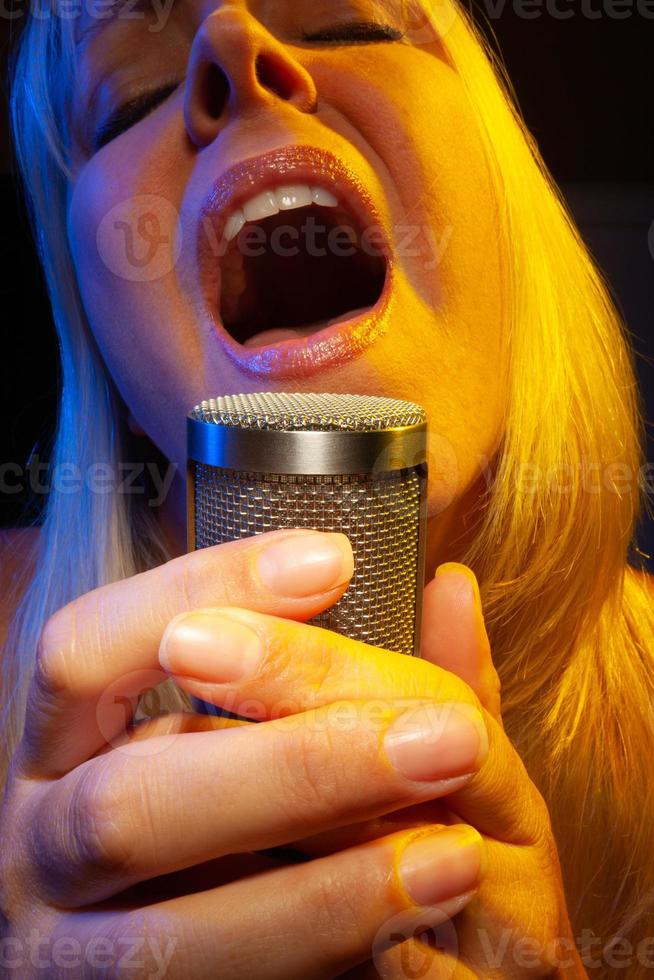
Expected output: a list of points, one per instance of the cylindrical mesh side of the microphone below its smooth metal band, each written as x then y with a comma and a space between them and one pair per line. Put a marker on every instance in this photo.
379, 515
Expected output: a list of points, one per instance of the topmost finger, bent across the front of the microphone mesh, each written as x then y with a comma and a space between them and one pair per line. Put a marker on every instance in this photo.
98, 654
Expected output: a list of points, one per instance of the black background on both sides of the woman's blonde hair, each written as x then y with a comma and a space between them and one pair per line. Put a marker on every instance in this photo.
584, 85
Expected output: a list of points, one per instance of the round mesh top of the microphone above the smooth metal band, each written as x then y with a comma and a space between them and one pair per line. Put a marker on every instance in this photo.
297, 411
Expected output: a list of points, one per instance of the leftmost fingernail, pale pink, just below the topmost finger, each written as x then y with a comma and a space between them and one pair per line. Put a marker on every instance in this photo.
211, 647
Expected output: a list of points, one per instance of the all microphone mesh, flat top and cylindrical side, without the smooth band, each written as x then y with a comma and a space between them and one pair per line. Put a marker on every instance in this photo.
379, 512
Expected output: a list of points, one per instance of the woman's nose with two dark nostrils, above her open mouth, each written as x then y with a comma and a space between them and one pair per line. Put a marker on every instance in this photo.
237, 67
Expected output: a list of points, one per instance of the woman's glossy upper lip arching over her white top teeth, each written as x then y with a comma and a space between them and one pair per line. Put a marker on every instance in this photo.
290, 164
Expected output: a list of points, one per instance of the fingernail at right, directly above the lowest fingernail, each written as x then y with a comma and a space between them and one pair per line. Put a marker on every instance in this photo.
437, 741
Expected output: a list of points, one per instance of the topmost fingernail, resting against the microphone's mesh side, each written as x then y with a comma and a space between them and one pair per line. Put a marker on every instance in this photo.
306, 564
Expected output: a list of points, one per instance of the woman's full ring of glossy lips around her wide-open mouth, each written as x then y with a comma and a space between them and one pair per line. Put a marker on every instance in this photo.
341, 341
